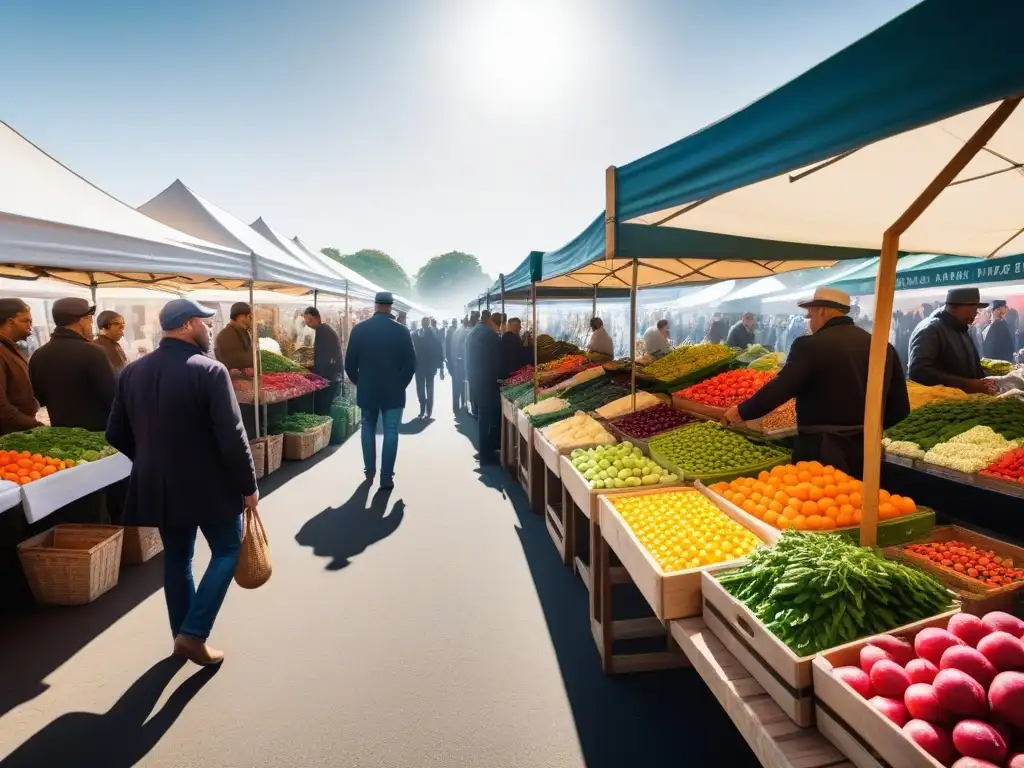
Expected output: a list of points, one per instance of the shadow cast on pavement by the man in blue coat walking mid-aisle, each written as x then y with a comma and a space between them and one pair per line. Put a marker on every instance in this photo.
342, 533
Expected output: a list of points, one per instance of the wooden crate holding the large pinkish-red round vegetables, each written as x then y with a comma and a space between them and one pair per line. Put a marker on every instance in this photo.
857, 729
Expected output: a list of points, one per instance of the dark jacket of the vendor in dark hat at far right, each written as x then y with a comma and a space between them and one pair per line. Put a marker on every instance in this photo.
943, 353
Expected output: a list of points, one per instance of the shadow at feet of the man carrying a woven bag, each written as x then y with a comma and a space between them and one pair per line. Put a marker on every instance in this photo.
120, 738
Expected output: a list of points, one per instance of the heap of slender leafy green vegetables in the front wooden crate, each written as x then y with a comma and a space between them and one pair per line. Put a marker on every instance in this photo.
817, 592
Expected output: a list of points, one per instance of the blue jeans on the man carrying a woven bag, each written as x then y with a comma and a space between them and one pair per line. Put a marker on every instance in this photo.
193, 612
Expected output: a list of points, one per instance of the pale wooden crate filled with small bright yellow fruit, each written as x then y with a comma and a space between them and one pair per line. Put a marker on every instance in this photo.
670, 595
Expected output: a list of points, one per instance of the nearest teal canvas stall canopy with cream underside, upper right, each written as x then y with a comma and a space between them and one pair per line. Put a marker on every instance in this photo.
837, 155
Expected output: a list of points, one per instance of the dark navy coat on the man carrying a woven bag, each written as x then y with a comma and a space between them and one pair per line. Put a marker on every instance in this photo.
177, 417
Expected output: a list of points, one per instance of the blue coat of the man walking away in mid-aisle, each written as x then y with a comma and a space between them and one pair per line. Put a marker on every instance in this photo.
381, 362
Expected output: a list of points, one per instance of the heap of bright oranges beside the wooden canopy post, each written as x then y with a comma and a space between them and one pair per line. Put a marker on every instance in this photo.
808, 496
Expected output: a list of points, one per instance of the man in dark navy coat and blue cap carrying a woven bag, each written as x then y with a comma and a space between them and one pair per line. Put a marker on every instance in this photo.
176, 416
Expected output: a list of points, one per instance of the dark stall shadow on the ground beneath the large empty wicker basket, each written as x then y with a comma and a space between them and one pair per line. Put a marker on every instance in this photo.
34, 645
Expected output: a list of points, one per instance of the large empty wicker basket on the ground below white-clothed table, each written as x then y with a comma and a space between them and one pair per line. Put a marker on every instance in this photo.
72, 565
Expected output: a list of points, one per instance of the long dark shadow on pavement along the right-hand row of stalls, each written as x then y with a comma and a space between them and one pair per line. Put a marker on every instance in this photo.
659, 718
